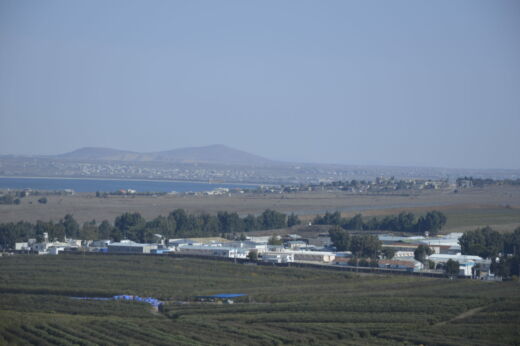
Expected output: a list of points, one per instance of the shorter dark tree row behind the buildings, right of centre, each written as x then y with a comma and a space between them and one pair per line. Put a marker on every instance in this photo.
431, 222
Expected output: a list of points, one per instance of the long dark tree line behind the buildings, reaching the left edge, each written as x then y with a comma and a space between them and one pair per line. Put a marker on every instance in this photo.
133, 226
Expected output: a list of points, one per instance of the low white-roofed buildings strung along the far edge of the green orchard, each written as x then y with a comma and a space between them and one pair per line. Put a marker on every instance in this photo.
293, 249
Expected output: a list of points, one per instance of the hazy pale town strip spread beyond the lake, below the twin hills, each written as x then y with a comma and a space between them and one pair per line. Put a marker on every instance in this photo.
278, 173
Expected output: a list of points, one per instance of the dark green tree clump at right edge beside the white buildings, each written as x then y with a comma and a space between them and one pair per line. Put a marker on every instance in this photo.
502, 249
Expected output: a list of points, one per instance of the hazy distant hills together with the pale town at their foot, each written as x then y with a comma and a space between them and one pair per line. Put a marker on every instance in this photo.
232, 166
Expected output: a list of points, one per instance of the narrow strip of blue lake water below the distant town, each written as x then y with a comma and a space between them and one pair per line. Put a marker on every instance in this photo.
109, 185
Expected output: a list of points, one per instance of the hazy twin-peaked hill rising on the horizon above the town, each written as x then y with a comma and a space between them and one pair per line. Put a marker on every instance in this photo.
219, 154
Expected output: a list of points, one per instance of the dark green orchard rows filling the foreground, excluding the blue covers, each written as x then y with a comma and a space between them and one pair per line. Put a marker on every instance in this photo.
284, 305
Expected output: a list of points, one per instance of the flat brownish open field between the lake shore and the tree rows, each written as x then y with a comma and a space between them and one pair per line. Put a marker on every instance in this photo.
496, 206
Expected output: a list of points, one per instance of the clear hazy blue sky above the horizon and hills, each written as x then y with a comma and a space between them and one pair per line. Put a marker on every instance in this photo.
413, 82
